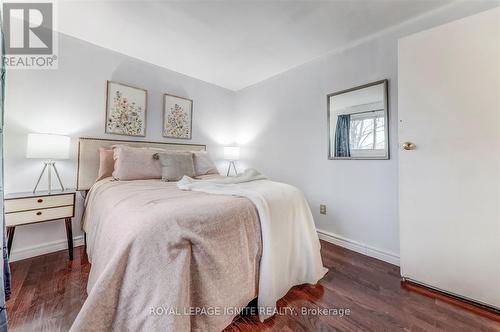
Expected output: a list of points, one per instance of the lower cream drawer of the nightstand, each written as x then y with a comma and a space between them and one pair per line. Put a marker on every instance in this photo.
28, 217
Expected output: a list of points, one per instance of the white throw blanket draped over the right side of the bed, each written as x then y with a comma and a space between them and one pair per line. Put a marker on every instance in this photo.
290, 244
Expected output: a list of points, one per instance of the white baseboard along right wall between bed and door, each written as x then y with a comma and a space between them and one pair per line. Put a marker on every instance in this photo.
361, 248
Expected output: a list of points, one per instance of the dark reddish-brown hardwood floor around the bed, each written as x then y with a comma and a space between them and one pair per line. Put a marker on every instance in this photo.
49, 290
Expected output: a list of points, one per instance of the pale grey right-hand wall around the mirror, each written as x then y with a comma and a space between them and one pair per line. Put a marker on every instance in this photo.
282, 126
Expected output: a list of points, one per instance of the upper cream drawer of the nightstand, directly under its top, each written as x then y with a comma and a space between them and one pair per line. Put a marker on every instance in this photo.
41, 202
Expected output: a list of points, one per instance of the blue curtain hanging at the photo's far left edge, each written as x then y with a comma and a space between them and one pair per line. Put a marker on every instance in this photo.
4, 259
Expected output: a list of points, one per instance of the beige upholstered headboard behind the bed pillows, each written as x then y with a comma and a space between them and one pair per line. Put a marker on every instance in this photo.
88, 155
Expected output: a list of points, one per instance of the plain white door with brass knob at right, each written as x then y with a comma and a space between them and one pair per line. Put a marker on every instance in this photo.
449, 106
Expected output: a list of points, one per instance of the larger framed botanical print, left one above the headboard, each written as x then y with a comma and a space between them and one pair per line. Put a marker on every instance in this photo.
125, 109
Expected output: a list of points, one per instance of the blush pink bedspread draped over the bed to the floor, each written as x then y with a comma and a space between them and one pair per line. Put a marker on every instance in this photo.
158, 254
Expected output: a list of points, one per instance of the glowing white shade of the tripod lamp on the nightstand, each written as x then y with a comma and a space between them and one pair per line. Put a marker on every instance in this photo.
47, 146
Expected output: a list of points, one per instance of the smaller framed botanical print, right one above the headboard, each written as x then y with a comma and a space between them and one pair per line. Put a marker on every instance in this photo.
177, 116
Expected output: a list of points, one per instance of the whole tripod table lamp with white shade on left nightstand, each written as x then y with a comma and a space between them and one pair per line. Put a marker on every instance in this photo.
48, 147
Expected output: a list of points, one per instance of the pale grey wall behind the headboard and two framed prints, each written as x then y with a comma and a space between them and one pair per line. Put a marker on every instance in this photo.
71, 100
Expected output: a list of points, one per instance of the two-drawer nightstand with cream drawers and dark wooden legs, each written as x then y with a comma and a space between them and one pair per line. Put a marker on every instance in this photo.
30, 208
